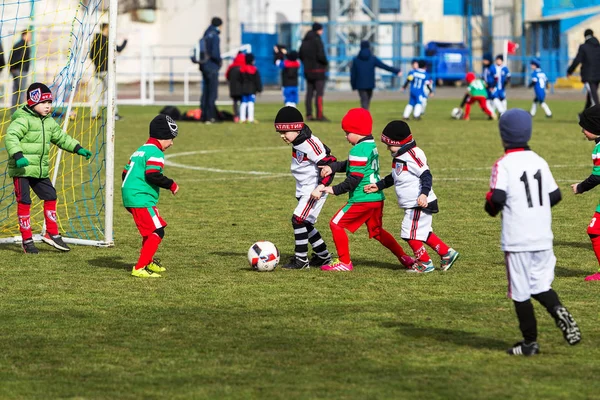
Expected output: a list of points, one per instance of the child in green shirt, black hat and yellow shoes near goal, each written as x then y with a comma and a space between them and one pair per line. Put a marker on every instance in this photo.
142, 180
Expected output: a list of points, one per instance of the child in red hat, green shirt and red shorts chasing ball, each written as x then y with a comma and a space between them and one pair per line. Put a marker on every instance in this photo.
362, 168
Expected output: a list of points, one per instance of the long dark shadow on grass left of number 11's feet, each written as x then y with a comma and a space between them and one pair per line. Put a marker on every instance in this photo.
458, 337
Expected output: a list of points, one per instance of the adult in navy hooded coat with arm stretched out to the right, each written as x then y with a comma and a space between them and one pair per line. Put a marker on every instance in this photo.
362, 73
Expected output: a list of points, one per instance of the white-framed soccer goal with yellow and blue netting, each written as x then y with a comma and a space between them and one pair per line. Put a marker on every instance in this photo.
58, 40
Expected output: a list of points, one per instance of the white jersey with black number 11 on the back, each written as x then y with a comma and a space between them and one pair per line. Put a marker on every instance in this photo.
526, 216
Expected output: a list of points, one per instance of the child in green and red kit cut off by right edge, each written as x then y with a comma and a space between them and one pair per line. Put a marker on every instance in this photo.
589, 121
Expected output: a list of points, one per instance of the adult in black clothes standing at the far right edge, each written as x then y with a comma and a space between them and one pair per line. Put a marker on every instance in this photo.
588, 56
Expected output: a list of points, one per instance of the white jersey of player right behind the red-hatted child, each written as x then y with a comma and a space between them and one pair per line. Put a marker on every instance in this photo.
406, 171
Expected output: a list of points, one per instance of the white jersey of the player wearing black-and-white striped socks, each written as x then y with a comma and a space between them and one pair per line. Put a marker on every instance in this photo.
305, 157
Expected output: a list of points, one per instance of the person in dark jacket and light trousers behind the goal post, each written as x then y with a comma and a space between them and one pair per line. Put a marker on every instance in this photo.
99, 56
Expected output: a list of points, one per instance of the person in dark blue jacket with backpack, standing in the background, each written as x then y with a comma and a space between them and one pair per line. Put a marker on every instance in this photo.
210, 71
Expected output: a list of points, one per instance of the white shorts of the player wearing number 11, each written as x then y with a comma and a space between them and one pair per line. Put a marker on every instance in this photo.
529, 272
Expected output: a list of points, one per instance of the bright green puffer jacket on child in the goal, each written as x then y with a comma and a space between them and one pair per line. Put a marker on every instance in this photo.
31, 134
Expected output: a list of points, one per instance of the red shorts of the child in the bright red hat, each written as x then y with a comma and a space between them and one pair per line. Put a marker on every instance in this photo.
353, 215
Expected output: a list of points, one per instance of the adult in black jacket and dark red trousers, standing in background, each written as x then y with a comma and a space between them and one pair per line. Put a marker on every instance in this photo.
312, 55
